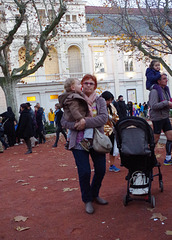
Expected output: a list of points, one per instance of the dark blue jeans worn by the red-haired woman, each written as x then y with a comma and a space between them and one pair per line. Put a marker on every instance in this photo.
90, 191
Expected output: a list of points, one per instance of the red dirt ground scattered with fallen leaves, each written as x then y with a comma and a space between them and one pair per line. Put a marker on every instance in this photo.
54, 214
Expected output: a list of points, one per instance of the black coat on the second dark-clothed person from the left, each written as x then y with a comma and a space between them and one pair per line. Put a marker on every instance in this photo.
25, 126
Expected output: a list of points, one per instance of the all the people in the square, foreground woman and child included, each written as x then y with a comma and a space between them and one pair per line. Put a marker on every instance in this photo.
83, 111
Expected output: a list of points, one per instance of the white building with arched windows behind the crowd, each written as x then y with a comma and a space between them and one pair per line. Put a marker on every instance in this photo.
75, 54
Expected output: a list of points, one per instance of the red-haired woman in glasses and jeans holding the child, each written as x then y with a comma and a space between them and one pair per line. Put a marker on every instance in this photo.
96, 119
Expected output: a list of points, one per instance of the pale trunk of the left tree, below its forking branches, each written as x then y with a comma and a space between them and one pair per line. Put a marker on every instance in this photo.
8, 87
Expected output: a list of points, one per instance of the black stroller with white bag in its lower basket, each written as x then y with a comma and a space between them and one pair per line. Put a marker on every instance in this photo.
135, 141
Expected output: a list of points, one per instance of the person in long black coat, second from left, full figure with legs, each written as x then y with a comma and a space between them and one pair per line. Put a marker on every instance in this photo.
25, 127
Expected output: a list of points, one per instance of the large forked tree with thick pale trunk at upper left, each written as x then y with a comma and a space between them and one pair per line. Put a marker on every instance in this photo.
21, 20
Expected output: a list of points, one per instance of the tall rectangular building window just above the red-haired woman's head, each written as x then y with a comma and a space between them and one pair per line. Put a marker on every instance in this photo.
99, 66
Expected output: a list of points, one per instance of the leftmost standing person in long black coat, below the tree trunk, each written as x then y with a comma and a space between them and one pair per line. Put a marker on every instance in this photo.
9, 128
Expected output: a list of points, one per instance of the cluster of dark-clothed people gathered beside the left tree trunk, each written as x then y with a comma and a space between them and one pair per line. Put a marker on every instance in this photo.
29, 127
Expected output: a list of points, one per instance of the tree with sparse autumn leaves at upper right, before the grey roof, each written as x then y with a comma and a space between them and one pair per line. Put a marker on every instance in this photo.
142, 27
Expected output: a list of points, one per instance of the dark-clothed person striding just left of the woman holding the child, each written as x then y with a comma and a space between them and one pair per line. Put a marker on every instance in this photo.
58, 116
